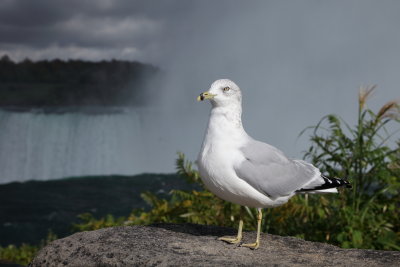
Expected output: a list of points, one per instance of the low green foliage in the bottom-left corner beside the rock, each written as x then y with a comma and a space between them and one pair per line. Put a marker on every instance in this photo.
24, 253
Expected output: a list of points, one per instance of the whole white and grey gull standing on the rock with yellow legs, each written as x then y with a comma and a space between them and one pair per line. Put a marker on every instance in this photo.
242, 170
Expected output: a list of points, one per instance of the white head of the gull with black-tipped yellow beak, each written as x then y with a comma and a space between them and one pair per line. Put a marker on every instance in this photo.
222, 93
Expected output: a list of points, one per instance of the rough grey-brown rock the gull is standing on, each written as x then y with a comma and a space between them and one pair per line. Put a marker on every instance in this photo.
193, 245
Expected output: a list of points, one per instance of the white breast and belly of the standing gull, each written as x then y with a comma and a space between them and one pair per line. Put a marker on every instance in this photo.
219, 153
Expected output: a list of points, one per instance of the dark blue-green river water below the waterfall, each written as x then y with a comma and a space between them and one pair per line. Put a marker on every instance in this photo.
28, 210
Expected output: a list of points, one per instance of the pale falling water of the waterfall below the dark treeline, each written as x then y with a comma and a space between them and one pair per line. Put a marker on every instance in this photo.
40, 145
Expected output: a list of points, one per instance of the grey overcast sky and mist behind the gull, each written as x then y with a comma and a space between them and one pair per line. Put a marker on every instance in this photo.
296, 61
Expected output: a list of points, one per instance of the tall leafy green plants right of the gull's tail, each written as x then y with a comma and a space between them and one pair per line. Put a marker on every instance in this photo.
367, 216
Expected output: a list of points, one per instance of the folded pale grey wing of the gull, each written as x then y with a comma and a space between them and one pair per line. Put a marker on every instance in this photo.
268, 170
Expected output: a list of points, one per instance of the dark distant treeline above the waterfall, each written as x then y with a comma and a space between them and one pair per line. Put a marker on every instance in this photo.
74, 83
